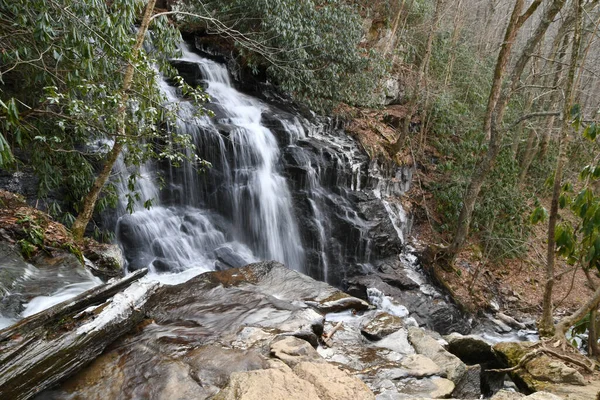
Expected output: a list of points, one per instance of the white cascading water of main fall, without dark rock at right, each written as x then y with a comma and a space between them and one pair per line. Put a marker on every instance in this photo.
239, 211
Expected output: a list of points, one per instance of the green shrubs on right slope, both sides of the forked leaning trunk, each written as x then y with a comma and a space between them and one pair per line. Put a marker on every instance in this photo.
455, 118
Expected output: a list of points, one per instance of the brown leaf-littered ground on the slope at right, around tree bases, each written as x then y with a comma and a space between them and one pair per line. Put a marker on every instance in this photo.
516, 285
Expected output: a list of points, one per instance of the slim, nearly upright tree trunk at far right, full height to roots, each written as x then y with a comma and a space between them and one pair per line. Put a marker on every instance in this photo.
546, 325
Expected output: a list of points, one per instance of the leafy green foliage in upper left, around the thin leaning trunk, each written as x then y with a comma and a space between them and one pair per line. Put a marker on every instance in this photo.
61, 69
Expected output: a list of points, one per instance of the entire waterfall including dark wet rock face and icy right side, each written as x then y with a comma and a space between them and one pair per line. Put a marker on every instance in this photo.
281, 186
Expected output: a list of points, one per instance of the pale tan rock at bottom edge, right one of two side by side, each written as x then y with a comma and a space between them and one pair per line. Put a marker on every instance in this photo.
331, 383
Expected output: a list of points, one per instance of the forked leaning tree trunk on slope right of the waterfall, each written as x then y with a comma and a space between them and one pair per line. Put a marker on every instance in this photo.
497, 103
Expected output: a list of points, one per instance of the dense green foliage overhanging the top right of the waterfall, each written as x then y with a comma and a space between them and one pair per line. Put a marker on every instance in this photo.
309, 48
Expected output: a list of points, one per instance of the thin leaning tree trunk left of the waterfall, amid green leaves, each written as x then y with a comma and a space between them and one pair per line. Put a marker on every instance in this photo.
89, 202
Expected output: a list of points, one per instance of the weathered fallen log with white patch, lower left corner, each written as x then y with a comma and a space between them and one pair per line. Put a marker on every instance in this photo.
41, 350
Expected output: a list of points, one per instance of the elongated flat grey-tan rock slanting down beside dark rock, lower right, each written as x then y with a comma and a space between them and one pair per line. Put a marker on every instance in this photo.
427, 346
